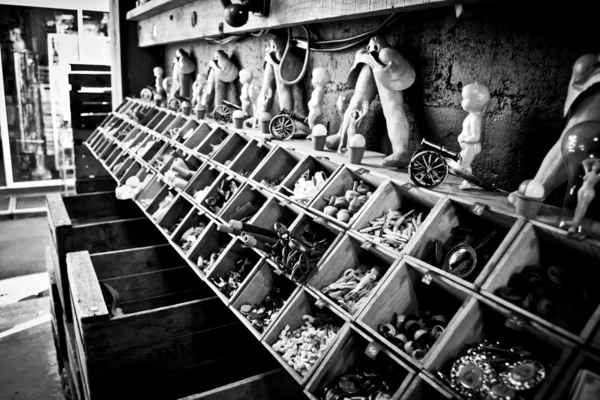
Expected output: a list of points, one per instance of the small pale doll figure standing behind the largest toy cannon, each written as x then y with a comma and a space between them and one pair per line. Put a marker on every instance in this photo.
475, 98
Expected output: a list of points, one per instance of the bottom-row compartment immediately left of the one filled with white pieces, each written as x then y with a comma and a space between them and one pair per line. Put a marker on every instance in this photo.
258, 288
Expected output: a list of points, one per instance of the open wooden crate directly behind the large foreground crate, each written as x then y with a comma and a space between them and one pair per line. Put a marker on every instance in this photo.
95, 222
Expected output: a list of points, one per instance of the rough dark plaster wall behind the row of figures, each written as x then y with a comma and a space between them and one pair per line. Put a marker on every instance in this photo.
524, 58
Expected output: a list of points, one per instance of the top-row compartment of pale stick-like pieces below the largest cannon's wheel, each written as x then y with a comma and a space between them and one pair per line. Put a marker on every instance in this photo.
392, 196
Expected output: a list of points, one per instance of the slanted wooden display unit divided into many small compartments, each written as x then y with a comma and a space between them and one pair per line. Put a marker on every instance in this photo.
476, 313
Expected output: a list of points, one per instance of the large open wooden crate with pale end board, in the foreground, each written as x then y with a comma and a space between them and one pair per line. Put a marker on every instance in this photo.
169, 318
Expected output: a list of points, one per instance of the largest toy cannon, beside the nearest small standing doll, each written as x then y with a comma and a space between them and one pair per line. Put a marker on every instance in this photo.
429, 167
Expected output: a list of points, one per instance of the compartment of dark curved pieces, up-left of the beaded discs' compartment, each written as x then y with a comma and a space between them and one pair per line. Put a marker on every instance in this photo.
405, 292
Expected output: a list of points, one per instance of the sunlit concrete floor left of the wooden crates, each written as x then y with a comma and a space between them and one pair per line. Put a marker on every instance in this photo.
28, 364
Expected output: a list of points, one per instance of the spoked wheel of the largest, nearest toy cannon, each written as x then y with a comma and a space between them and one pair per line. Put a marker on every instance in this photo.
428, 168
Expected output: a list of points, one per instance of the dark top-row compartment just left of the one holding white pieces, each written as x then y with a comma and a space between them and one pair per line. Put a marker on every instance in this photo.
278, 163
